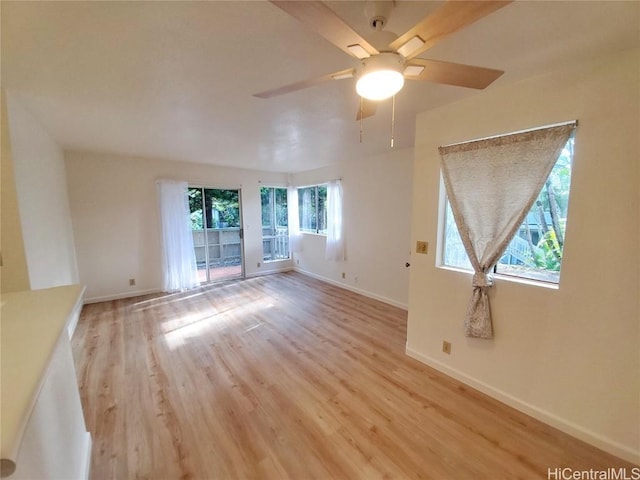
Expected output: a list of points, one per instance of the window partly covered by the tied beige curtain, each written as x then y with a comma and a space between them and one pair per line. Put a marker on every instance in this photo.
536, 250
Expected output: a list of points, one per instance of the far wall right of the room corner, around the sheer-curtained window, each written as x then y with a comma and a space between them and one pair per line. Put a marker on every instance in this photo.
377, 213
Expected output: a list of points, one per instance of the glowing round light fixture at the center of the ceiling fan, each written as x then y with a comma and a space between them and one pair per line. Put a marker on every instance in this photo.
381, 76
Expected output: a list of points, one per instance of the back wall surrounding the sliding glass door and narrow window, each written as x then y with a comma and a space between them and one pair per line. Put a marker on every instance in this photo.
116, 220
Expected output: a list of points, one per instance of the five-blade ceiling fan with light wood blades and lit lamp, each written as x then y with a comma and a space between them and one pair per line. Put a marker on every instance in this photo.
389, 59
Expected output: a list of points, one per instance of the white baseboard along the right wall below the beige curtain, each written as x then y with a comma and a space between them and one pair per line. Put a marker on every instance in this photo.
549, 418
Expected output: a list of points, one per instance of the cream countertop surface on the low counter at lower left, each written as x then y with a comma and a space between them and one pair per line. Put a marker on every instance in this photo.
31, 324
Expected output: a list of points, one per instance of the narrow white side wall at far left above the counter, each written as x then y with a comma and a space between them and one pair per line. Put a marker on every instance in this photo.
41, 188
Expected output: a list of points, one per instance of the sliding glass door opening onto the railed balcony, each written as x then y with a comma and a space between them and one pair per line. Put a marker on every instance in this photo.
216, 224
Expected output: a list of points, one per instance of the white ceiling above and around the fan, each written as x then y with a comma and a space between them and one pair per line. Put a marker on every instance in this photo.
175, 79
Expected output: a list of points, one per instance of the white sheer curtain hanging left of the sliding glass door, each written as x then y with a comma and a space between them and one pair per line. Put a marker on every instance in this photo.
179, 270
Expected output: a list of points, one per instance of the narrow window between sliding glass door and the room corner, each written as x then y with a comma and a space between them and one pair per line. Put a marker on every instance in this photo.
275, 230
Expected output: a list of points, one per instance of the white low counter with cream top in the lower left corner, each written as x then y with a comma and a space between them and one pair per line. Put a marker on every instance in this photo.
43, 431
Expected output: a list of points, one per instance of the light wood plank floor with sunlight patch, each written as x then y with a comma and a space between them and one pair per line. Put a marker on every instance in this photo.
282, 377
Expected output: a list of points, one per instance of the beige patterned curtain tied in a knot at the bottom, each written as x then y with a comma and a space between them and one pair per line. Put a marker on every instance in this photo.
491, 185
